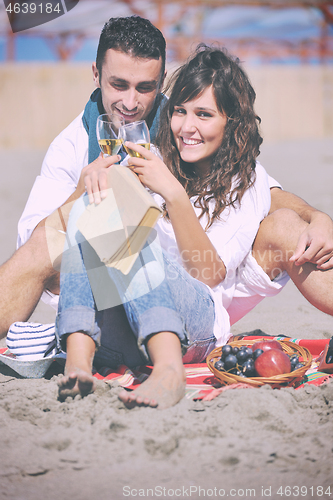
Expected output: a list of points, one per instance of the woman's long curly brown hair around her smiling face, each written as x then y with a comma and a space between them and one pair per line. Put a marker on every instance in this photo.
233, 167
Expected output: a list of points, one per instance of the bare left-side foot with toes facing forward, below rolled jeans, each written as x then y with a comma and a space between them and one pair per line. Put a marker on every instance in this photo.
75, 382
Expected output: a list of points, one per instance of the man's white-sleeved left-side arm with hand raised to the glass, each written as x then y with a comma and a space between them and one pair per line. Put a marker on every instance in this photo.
61, 181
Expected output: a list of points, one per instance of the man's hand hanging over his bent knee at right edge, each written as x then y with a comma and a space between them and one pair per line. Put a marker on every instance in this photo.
316, 243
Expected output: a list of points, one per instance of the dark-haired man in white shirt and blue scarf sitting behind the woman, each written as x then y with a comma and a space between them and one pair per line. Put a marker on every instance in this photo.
129, 74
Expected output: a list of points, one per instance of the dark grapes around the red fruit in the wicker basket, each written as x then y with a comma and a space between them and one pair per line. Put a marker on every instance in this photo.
241, 361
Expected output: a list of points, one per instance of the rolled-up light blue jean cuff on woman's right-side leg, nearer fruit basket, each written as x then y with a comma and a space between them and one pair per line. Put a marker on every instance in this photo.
160, 319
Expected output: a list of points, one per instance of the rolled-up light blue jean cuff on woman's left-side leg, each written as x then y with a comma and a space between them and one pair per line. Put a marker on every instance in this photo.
77, 319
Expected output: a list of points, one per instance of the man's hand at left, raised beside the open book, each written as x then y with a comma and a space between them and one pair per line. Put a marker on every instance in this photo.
94, 177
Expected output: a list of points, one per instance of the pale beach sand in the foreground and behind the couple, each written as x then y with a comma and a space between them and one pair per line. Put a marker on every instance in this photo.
246, 443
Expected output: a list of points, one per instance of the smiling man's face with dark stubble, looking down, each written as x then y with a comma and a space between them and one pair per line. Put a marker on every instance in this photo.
129, 84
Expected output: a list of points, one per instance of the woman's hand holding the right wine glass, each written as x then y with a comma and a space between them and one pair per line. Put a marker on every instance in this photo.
153, 173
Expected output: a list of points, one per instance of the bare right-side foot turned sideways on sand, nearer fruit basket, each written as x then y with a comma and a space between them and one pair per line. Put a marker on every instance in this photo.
165, 387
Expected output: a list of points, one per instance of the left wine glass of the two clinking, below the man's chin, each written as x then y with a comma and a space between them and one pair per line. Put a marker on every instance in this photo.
107, 131
